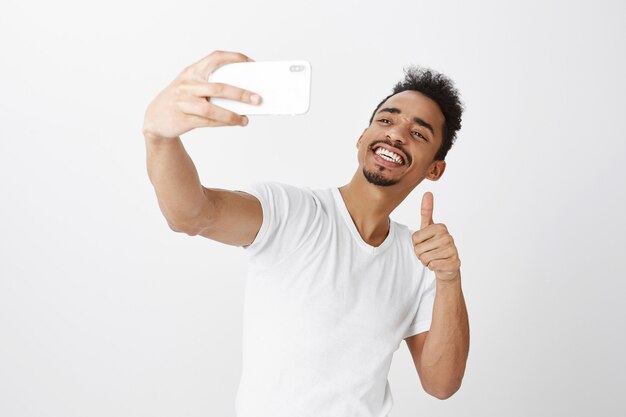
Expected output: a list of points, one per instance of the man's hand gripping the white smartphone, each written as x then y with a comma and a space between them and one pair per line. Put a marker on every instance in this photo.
186, 103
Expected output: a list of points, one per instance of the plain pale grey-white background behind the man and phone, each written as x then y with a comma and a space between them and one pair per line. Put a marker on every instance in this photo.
105, 311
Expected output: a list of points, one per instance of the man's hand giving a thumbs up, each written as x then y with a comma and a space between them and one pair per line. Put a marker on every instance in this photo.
434, 246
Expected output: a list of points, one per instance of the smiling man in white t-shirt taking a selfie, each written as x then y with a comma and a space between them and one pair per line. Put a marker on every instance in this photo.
334, 285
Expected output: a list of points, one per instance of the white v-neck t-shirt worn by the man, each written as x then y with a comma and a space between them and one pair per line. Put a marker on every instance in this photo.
323, 310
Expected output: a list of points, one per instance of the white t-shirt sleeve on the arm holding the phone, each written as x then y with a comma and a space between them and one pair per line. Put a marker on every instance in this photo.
288, 213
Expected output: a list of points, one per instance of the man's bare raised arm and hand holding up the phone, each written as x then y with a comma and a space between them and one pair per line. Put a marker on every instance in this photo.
226, 216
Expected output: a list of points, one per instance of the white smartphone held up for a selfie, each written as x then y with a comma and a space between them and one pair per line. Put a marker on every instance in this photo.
284, 86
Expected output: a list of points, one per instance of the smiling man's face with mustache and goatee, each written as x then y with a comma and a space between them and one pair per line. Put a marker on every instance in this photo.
400, 145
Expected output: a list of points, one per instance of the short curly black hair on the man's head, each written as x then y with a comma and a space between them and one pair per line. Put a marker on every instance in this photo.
439, 88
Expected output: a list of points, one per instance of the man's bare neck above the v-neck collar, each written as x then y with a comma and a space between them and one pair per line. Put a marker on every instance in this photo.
369, 206
